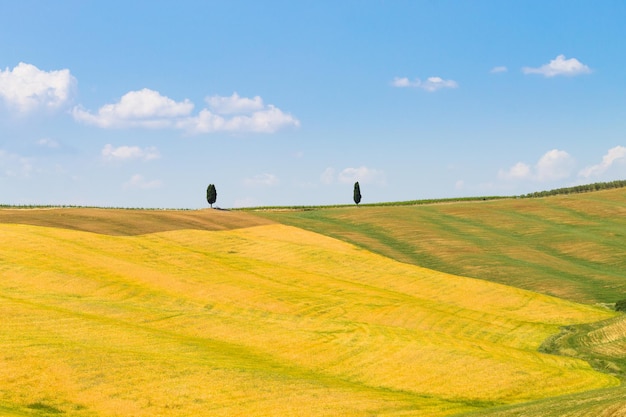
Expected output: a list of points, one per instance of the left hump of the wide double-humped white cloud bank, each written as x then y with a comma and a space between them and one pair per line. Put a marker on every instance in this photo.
144, 108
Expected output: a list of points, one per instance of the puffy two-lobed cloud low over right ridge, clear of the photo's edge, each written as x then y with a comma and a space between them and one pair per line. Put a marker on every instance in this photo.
553, 165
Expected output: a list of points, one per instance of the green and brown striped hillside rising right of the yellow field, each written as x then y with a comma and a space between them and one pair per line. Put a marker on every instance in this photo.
568, 246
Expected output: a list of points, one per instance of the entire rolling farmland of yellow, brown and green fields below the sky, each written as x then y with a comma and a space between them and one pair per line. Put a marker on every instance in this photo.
226, 313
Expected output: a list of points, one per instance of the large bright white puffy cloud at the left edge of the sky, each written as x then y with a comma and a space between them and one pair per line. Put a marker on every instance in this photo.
26, 88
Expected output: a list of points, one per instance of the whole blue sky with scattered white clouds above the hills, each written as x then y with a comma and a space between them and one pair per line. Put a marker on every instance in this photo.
145, 103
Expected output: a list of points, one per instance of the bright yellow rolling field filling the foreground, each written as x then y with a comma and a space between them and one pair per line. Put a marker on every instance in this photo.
264, 320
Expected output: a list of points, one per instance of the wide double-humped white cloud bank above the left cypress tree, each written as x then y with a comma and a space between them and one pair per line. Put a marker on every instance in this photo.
149, 109
